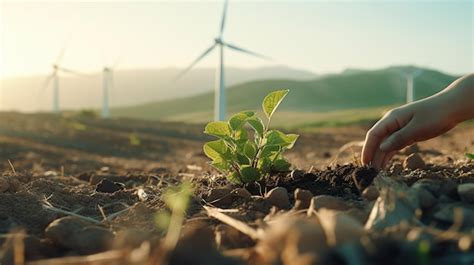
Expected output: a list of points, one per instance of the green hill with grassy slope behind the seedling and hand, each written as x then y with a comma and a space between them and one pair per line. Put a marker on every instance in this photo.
349, 90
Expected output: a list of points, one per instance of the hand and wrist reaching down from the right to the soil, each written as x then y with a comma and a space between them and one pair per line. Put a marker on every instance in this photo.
418, 121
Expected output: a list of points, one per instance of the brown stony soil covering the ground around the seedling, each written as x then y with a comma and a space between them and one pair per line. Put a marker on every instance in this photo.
75, 186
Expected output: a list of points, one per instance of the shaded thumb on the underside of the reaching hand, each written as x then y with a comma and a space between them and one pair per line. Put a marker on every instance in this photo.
399, 139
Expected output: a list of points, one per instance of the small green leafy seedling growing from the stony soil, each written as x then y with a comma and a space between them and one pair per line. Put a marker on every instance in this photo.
245, 157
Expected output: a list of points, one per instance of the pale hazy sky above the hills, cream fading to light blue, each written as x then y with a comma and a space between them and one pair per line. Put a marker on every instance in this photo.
321, 36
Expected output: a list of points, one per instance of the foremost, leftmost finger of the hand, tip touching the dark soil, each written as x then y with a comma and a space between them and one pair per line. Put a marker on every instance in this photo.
384, 127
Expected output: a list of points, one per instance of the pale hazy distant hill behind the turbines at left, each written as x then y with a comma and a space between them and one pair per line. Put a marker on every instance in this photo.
132, 87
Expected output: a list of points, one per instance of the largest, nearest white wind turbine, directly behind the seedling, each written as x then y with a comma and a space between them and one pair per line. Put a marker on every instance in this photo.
219, 94
